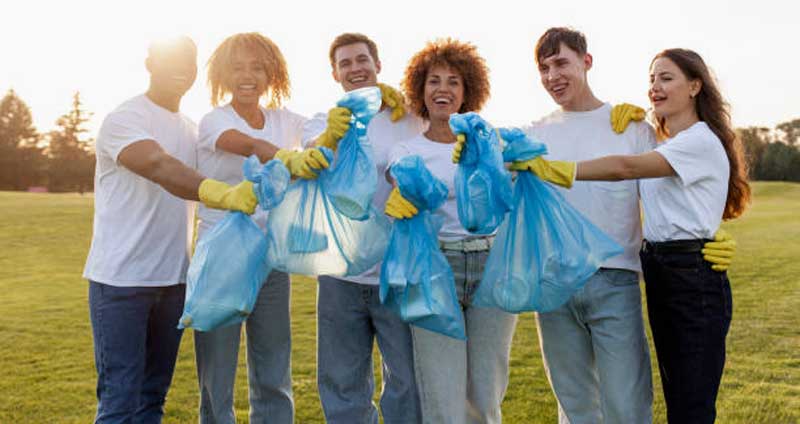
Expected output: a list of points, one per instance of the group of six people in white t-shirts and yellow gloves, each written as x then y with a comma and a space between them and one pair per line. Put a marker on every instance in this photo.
686, 169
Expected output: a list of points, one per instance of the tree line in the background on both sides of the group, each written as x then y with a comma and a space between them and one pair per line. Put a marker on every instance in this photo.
63, 159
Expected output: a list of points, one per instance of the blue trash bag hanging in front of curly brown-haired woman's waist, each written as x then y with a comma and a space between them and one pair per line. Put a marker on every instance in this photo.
416, 279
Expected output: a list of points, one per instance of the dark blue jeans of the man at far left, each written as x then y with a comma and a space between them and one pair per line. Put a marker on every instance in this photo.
136, 343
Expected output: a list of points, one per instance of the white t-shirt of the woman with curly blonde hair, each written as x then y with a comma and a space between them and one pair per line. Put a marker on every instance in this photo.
282, 128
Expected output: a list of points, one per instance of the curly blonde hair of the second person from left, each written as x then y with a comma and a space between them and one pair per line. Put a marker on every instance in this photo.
270, 56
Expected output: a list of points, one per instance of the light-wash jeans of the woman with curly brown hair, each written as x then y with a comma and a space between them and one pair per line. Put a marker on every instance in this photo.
465, 382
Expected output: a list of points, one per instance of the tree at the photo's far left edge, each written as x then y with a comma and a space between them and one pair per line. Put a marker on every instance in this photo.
21, 163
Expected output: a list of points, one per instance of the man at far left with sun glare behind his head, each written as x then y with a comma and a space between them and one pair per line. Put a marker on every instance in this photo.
138, 258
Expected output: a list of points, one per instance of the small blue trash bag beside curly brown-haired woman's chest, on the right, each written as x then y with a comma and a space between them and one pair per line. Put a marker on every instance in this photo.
483, 185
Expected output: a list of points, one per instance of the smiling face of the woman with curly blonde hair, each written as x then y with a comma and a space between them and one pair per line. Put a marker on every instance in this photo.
246, 77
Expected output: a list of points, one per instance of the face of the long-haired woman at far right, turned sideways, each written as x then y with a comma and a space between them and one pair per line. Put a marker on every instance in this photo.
671, 93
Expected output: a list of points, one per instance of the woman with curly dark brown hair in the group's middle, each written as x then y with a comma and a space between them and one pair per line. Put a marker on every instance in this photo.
458, 381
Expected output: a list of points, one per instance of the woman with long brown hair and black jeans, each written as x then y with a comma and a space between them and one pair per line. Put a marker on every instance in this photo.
695, 178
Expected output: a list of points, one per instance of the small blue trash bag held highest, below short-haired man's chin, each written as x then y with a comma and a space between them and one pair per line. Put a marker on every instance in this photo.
353, 177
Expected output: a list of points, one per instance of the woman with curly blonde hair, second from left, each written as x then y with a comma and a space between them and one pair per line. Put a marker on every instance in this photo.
248, 67
